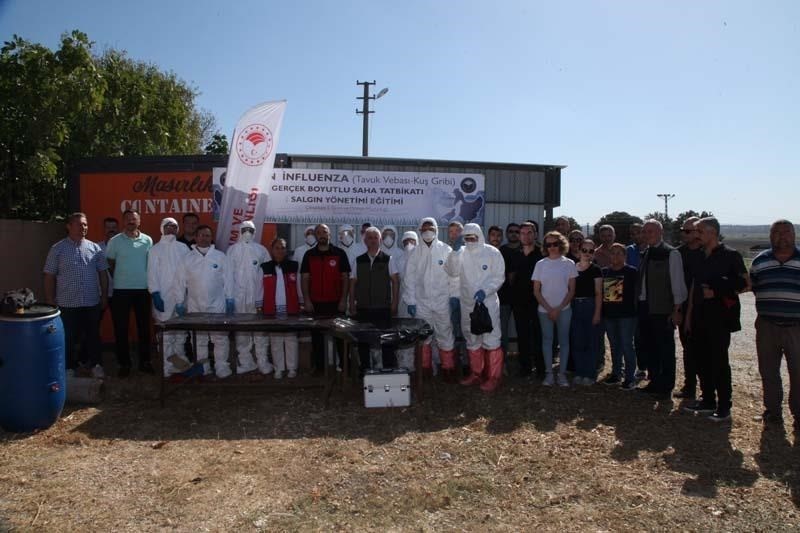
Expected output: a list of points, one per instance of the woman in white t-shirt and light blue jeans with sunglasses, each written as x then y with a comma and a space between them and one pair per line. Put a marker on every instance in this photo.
554, 286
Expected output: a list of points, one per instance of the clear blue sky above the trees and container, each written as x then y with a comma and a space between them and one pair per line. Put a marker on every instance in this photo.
699, 99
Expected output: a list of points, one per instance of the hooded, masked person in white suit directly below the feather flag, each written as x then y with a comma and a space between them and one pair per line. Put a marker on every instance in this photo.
245, 259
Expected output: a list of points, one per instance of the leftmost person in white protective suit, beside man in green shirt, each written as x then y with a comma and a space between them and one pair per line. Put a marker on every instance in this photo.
164, 261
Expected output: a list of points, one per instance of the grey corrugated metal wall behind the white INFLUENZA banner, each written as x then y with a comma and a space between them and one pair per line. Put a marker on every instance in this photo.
511, 194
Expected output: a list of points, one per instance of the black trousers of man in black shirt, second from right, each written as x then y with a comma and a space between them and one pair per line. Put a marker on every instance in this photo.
710, 340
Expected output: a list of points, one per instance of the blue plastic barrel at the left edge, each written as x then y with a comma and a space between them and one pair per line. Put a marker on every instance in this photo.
32, 372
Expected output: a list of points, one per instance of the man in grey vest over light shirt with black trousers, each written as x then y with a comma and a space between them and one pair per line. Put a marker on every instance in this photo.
661, 291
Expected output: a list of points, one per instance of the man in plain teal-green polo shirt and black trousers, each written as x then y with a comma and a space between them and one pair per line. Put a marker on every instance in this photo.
127, 257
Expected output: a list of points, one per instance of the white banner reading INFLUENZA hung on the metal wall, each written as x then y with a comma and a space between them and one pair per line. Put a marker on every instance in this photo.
302, 196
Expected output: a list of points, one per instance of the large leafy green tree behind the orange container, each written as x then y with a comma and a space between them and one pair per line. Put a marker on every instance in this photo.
59, 106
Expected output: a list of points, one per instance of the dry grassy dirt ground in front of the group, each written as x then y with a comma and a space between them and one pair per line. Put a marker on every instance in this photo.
579, 459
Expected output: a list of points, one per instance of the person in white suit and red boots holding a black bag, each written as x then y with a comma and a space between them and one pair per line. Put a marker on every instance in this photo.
481, 270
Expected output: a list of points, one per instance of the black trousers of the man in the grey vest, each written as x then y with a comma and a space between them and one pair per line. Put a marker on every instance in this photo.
657, 335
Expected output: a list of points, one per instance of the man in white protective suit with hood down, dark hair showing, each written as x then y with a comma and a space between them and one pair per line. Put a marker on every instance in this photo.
207, 280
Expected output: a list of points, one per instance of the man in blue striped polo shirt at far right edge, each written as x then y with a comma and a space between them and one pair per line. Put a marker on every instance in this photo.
775, 278
